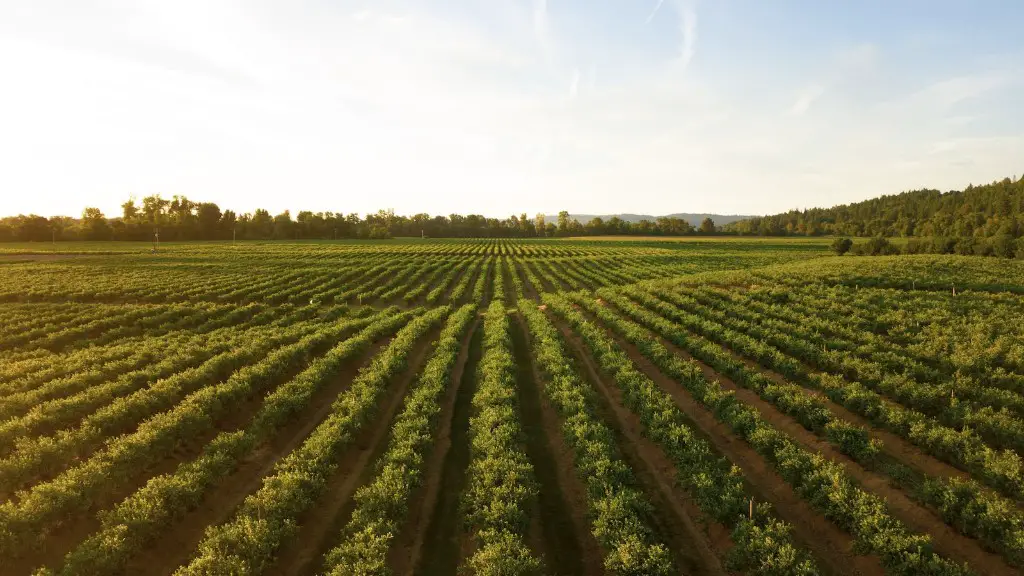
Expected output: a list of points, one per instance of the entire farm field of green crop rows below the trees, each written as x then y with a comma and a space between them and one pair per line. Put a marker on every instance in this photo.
499, 407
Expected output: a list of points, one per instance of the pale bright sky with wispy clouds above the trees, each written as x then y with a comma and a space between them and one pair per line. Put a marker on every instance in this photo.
501, 107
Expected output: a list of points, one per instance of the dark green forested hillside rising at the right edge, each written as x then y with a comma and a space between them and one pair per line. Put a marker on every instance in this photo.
985, 212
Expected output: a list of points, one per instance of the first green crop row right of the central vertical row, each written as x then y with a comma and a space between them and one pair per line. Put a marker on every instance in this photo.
618, 511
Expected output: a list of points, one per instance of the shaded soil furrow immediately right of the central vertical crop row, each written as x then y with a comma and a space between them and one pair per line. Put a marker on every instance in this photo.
565, 534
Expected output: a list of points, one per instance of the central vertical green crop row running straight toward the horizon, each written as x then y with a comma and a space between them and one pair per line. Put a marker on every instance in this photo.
501, 489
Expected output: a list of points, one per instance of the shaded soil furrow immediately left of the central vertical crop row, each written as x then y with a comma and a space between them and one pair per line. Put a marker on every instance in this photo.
441, 549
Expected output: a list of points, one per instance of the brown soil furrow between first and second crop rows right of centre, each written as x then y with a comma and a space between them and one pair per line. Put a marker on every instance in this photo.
697, 547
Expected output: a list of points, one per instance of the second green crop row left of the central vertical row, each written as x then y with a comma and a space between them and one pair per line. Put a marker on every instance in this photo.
246, 545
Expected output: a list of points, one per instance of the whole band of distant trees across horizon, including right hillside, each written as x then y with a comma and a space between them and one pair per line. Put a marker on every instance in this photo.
980, 220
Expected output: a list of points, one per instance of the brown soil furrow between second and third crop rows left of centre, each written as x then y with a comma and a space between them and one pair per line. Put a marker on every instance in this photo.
176, 547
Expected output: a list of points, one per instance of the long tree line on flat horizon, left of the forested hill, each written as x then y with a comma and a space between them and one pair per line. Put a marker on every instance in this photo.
181, 219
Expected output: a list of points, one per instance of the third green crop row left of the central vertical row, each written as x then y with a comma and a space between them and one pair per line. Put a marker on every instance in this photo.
141, 519
